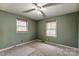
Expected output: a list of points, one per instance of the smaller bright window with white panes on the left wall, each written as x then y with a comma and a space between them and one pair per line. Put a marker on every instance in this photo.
21, 25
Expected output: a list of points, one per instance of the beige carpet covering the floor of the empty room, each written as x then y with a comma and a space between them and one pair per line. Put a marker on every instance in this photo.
39, 49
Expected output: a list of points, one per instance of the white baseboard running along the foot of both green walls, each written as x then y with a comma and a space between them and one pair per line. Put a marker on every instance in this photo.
1, 50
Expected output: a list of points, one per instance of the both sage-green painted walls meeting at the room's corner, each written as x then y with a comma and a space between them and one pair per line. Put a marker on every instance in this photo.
67, 30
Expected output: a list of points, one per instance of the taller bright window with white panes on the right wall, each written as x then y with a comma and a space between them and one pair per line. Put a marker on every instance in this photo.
51, 28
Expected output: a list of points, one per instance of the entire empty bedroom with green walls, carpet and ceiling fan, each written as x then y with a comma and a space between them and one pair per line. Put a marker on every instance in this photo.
39, 29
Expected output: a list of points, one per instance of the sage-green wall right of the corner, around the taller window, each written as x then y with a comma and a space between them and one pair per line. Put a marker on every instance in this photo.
67, 30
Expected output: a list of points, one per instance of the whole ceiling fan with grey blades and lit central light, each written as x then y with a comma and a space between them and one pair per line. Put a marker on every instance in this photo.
39, 8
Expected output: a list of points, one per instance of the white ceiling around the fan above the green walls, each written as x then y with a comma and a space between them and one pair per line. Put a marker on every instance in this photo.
18, 8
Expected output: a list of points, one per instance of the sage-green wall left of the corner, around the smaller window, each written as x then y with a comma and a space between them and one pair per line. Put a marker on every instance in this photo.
8, 34
